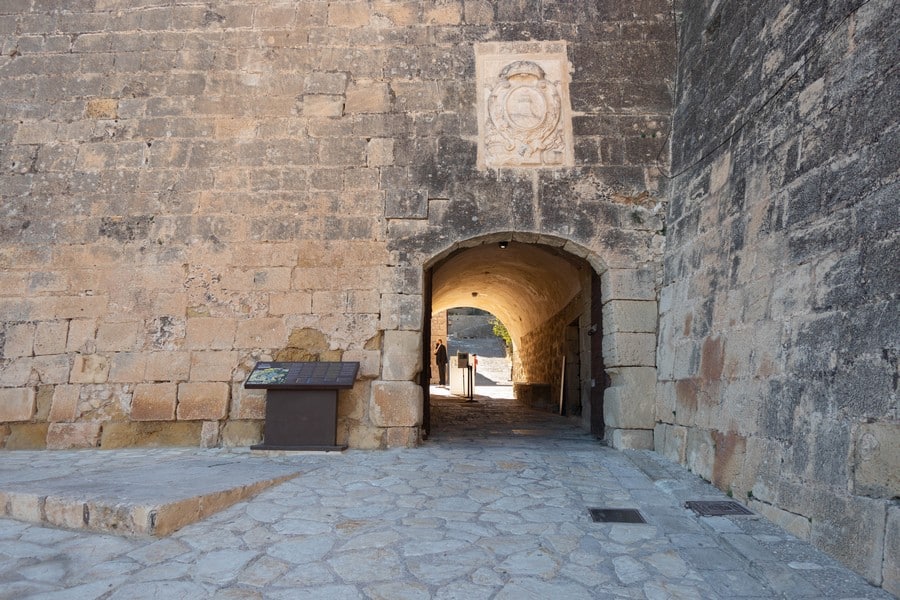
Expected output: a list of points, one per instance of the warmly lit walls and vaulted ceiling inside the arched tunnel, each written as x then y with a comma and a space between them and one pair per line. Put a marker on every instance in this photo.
549, 300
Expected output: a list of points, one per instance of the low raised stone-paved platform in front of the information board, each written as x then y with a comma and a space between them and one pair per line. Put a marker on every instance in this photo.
126, 492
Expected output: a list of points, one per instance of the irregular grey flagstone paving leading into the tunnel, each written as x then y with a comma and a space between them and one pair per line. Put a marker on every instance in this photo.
489, 507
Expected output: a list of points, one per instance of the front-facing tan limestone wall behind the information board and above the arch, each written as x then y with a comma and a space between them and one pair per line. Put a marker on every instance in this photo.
190, 187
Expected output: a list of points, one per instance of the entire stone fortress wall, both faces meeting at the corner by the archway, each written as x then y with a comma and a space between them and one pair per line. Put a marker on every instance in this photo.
187, 188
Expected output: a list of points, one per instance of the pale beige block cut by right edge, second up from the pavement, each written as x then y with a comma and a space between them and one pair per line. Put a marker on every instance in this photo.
876, 460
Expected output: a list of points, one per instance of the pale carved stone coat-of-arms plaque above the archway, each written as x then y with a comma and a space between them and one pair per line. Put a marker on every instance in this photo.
524, 114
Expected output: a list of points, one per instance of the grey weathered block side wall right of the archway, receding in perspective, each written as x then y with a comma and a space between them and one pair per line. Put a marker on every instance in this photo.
778, 350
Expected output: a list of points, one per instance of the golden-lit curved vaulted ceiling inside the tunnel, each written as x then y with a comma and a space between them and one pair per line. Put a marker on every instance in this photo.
523, 285
